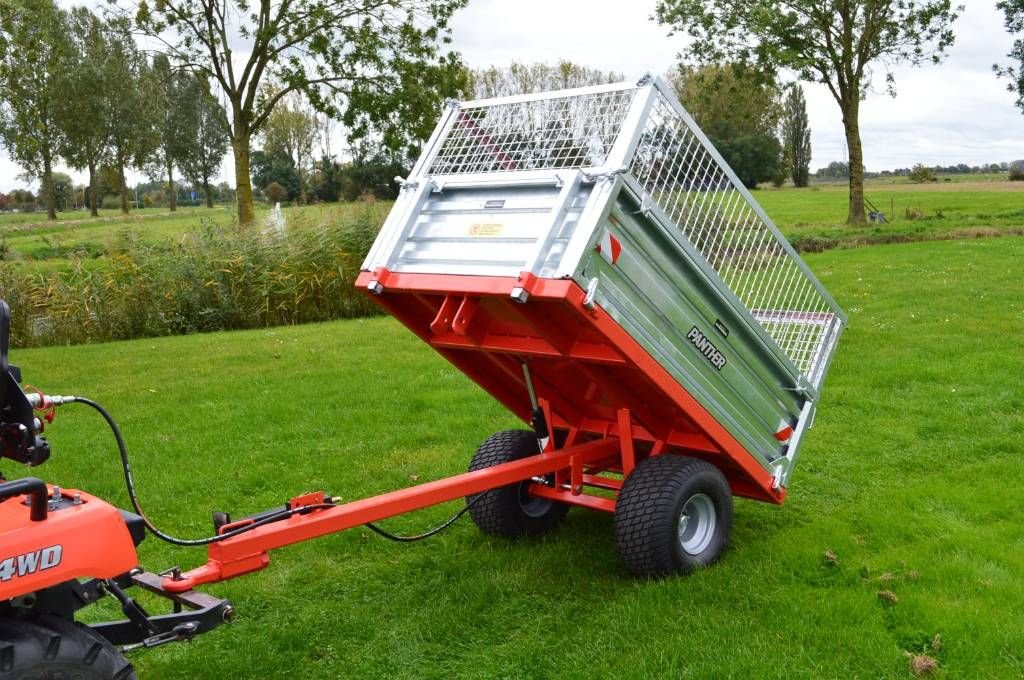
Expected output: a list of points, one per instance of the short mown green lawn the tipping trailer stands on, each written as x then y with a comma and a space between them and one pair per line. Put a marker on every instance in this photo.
912, 478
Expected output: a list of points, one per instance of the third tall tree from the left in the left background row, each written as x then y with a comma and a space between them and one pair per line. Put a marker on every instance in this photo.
134, 107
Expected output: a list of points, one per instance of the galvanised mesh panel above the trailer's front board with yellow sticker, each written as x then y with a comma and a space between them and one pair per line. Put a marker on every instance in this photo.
576, 132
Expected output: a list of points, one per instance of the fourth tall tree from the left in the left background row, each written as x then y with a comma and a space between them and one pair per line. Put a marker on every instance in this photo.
177, 116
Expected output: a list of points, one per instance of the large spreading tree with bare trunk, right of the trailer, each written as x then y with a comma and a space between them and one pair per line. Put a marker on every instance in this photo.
835, 42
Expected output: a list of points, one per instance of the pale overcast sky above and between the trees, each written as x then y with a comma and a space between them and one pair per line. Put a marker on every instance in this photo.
955, 113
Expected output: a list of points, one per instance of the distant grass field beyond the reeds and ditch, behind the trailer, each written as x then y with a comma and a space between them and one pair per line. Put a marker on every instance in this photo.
813, 219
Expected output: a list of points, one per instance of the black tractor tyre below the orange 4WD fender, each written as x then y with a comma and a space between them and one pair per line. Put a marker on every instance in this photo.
54, 649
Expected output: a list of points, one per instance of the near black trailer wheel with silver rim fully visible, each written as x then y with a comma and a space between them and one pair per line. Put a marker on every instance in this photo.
674, 515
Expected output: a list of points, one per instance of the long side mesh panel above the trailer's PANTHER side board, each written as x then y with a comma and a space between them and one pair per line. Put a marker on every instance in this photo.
686, 181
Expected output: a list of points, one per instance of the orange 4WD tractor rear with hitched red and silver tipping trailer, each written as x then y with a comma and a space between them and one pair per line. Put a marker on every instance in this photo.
589, 260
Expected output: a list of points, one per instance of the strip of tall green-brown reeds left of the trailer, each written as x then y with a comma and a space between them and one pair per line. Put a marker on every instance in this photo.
215, 279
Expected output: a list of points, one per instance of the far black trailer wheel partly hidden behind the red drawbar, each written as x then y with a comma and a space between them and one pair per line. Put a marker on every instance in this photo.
511, 511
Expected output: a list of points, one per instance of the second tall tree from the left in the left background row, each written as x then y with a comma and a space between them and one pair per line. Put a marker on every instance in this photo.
84, 108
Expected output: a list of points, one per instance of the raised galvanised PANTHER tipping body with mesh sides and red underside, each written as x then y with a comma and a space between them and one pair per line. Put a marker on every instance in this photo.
598, 237
